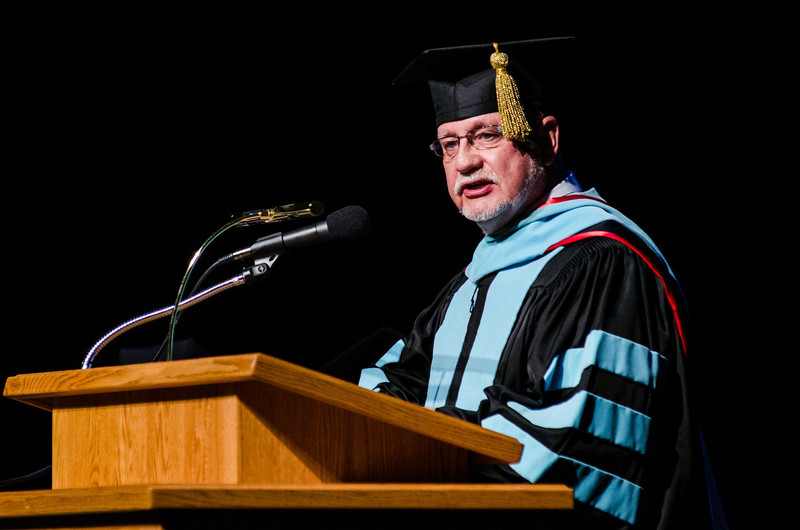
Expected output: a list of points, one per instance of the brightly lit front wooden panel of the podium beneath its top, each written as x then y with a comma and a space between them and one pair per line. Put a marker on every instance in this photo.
163, 436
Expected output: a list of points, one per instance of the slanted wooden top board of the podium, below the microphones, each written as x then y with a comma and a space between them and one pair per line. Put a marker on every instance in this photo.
45, 389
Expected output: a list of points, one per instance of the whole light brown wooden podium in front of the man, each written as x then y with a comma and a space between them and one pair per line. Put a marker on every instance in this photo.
158, 445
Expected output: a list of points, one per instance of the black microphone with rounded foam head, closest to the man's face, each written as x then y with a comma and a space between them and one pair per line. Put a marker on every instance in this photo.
346, 224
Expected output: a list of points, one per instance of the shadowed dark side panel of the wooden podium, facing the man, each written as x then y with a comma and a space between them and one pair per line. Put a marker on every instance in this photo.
320, 443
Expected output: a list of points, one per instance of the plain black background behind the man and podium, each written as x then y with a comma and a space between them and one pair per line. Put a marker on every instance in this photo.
135, 137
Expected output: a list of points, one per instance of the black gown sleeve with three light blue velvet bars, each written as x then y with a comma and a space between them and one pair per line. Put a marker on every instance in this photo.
592, 384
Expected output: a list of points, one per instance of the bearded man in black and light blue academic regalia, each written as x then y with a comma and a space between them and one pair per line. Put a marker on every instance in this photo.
566, 331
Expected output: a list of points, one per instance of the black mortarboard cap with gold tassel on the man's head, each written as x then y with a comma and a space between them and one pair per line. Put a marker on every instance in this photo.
464, 83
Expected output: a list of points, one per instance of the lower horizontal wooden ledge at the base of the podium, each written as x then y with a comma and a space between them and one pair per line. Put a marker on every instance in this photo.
336, 496
